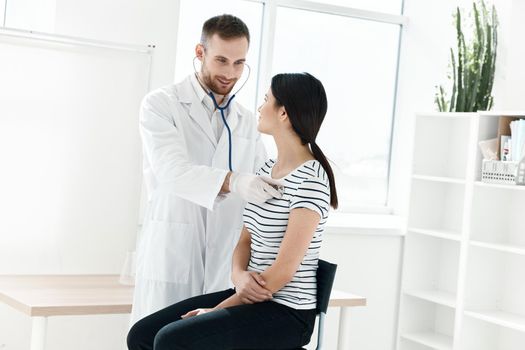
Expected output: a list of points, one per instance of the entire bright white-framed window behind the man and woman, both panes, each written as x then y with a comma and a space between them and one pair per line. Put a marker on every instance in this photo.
351, 49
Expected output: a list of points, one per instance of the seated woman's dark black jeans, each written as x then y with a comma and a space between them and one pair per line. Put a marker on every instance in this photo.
266, 325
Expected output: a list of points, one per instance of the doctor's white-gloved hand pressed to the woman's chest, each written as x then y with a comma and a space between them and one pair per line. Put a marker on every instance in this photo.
253, 188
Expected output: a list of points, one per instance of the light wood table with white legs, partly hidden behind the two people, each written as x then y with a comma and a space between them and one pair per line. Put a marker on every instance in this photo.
42, 296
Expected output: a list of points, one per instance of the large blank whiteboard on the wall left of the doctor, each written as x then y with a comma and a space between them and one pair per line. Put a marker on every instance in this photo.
70, 155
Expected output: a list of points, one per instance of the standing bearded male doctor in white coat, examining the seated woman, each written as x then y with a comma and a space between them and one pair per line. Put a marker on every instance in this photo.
194, 211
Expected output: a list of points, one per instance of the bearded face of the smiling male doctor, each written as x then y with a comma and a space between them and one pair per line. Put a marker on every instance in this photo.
222, 62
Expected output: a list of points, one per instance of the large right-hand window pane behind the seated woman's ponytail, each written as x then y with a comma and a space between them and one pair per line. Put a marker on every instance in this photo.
357, 62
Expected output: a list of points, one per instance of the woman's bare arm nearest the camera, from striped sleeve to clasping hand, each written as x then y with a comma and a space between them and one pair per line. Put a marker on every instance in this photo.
302, 224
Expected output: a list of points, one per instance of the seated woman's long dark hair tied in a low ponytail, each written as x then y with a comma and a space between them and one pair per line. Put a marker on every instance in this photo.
304, 100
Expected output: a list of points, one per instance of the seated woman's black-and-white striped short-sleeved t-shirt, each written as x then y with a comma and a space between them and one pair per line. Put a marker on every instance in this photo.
305, 187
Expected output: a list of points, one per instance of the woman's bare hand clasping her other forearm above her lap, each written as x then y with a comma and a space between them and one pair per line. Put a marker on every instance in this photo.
249, 286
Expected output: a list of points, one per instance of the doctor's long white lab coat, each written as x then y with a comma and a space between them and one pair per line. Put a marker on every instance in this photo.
188, 233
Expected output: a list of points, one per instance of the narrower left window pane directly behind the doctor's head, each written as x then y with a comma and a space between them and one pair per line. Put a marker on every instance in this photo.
193, 15
